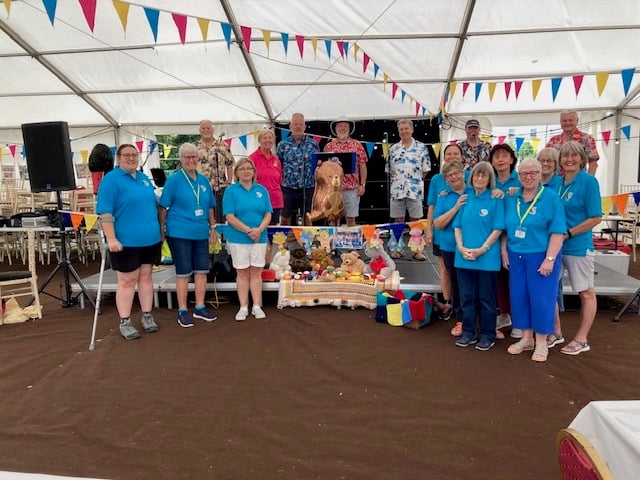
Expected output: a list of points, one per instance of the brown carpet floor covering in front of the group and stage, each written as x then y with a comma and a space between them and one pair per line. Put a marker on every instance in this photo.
307, 393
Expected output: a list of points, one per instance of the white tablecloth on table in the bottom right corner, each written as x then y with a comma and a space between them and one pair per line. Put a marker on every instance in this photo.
614, 430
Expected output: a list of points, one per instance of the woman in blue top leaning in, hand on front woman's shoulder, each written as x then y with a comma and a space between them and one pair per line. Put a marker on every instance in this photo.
449, 201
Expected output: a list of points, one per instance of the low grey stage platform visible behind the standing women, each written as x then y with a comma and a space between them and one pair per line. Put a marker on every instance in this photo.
414, 276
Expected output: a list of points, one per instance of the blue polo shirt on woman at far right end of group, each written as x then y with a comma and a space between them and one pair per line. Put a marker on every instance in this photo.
581, 200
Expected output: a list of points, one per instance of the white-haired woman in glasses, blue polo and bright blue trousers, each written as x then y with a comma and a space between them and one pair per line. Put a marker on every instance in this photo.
535, 229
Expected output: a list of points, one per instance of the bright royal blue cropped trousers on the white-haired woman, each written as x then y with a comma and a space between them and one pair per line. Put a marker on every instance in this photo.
533, 296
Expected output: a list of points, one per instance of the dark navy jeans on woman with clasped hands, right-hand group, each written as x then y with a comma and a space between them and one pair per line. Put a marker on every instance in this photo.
478, 302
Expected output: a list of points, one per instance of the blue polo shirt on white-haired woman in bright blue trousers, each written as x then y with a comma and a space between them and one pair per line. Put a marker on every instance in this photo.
545, 217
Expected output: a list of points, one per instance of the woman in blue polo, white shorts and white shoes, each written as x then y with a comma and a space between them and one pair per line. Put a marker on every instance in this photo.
248, 210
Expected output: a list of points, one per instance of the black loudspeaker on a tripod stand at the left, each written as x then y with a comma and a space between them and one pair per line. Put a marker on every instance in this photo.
48, 150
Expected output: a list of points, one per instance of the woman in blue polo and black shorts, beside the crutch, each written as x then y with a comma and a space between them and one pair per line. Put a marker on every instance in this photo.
129, 219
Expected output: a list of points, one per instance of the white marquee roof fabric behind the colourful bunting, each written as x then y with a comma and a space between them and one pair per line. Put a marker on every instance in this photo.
110, 77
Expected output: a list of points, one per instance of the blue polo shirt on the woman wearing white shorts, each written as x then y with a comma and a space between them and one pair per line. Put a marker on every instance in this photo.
249, 206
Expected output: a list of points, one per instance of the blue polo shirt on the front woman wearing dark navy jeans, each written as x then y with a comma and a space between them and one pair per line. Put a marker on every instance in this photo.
480, 216
